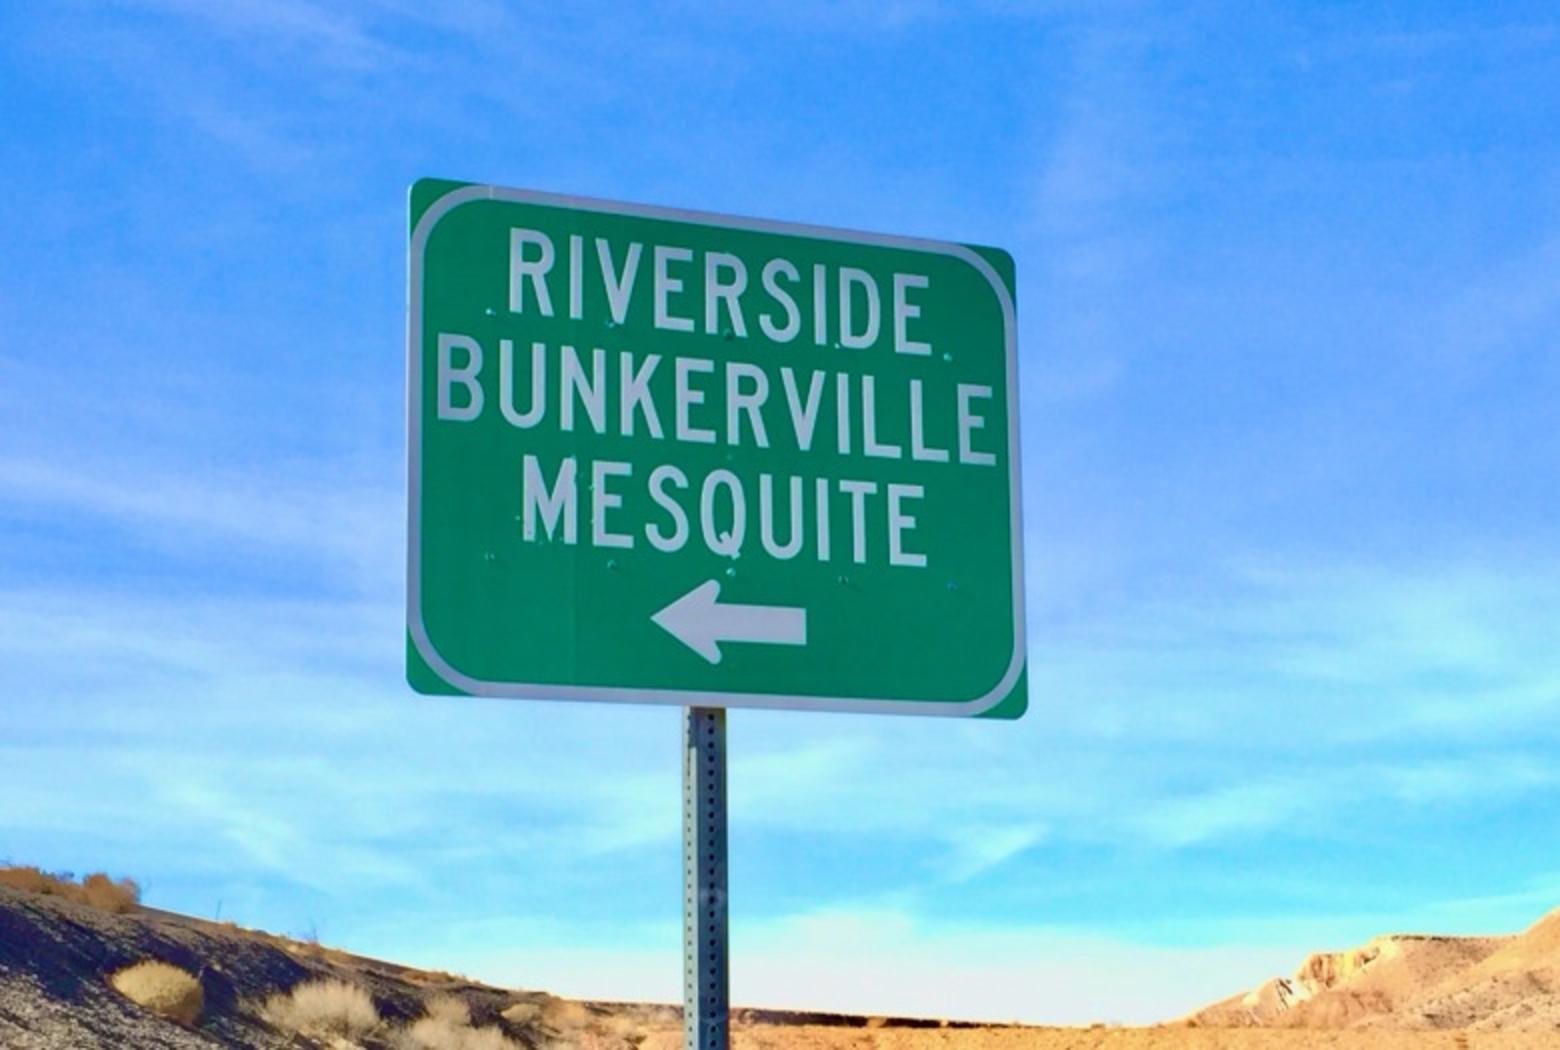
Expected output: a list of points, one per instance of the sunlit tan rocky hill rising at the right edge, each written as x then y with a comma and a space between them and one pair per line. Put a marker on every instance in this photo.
1414, 982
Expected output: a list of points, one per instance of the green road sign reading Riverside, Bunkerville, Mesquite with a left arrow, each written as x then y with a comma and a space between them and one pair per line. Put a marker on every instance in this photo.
679, 458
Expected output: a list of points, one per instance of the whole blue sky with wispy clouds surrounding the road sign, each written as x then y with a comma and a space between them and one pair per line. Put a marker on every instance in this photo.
1289, 303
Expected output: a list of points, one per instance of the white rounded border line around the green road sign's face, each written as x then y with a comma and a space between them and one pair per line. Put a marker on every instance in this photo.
690, 698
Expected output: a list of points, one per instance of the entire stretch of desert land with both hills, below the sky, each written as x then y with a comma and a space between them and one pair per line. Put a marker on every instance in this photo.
93, 970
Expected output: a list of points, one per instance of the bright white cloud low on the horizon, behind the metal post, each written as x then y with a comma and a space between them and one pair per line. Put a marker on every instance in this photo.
877, 962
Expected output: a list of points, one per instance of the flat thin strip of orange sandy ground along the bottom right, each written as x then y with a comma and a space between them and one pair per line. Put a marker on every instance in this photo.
818, 1038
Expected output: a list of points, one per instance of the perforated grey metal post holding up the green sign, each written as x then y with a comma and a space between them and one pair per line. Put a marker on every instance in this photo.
706, 974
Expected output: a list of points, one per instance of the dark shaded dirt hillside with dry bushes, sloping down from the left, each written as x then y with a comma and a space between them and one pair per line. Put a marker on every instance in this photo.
58, 957
